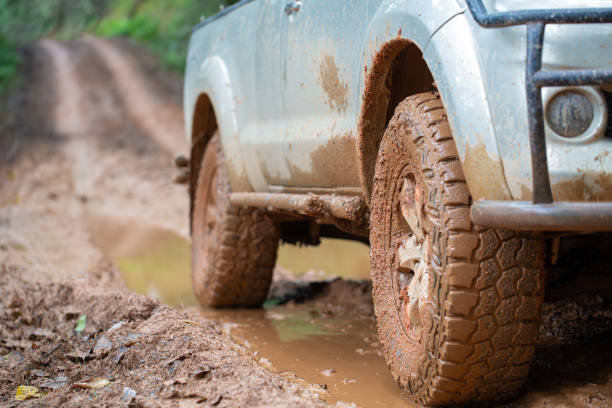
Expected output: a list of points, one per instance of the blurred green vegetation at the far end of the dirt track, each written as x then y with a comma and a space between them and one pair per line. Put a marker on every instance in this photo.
163, 26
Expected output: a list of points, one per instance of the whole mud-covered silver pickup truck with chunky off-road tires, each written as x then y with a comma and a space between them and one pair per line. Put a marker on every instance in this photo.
459, 138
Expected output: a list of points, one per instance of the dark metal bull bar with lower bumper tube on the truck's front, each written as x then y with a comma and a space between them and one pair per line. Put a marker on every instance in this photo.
543, 213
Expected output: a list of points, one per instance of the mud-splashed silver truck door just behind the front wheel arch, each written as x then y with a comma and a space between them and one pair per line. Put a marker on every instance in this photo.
321, 72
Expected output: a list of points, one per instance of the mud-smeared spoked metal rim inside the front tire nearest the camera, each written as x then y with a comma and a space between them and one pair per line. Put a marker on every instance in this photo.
411, 279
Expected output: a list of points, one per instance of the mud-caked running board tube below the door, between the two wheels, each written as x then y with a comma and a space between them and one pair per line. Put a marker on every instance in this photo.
345, 207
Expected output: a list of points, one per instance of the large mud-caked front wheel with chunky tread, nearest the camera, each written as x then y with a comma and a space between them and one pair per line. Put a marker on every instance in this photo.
457, 306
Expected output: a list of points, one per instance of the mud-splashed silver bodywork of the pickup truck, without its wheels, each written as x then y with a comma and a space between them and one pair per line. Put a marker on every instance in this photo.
290, 88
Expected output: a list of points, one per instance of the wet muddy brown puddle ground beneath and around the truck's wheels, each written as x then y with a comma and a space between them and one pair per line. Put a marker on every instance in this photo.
321, 328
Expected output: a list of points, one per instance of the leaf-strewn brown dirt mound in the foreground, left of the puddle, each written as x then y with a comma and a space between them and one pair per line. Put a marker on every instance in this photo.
150, 354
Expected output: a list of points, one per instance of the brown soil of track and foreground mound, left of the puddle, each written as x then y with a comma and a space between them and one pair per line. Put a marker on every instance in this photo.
90, 155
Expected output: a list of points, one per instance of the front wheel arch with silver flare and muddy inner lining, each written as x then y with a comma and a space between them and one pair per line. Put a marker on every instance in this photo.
432, 49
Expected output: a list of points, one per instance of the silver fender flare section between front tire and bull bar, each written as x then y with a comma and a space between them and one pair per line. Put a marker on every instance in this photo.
452, 57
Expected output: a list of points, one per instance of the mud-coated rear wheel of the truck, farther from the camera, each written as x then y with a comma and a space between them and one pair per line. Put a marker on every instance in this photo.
233, 248
